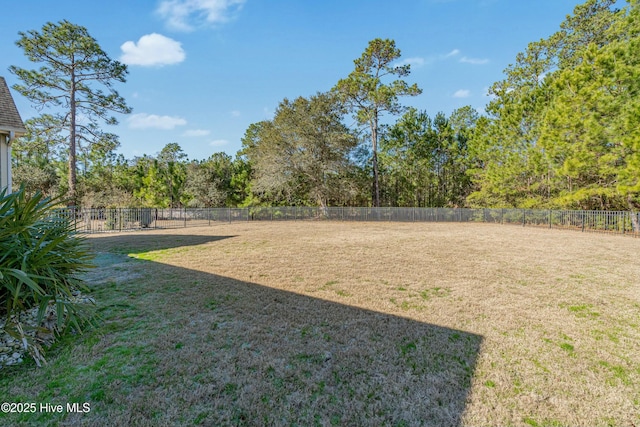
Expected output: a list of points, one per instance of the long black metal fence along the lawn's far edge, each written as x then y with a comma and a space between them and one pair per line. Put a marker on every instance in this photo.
127, 219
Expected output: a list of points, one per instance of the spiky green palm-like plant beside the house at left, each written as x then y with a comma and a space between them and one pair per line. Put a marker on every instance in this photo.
40, 256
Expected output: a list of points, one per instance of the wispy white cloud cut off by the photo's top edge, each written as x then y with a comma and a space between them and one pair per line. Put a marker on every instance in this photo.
185, 15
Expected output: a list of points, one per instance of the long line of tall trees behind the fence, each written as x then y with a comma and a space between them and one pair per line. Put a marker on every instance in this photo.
561, 131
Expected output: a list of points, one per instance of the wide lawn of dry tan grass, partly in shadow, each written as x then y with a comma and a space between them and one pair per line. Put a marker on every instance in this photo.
330, 323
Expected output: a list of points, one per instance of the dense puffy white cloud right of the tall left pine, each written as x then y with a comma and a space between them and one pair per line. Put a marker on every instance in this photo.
152, 49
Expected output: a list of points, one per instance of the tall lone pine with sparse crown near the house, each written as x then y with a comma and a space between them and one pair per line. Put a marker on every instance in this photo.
72, 63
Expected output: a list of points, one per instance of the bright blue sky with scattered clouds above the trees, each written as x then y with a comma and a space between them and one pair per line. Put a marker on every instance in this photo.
201, 71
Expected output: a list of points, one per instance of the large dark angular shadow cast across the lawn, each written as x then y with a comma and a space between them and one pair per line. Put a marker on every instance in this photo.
193, 348
